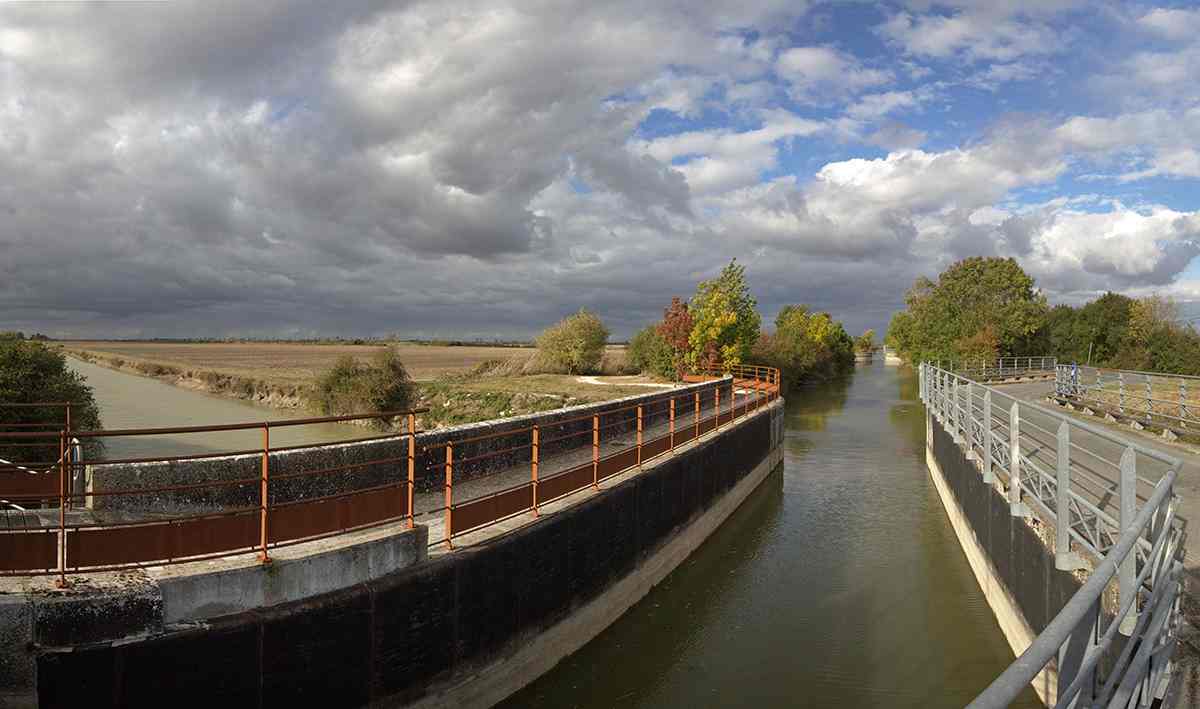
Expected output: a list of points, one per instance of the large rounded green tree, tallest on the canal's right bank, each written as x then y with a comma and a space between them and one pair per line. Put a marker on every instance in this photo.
973, 295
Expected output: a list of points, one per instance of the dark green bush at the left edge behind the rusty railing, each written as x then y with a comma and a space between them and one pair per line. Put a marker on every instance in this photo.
33, 374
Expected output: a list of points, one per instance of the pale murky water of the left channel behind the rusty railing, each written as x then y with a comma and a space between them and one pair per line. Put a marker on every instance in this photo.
128, 401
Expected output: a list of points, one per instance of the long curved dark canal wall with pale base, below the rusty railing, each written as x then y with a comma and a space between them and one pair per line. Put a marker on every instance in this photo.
464, 629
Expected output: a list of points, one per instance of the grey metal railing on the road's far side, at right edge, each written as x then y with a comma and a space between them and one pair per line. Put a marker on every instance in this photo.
1171, 400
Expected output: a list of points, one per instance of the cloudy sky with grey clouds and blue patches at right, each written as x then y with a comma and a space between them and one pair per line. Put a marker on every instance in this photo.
481, 170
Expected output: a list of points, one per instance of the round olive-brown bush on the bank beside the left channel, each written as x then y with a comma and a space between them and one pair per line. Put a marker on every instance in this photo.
353, 387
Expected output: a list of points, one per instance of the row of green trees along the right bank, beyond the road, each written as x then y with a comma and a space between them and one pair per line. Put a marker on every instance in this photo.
986, 308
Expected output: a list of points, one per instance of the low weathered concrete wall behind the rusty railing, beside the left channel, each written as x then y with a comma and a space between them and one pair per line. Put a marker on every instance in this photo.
375, 464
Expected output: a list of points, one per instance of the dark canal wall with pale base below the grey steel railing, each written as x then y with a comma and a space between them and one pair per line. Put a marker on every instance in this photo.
1015, 568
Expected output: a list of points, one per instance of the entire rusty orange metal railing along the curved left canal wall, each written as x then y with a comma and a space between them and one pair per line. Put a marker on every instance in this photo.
261, 504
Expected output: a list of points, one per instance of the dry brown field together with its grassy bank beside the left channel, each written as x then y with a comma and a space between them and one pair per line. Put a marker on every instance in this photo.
458, 384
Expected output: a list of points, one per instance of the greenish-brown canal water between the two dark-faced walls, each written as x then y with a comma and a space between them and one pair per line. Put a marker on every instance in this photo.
838, 584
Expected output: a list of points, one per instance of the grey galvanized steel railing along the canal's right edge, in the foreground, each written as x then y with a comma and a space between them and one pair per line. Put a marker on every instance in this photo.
1063, 472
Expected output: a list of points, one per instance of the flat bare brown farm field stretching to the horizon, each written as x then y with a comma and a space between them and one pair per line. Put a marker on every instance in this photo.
286, 364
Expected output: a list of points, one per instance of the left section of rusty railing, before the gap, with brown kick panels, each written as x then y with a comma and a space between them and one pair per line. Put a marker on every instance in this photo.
259, 525
